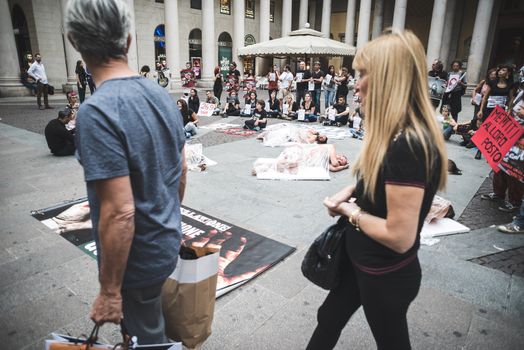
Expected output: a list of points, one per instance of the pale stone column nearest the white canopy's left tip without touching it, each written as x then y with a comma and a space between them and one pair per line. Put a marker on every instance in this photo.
209, 41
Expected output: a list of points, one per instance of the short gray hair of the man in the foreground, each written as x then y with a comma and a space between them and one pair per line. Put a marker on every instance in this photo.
98, 29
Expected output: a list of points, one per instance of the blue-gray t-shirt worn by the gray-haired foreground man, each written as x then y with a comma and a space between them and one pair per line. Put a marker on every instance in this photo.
132, 127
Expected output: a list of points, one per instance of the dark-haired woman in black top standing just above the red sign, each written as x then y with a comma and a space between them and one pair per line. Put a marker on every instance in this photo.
498, 93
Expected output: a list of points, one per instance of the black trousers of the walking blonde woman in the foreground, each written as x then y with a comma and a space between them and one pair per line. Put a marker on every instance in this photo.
385, 298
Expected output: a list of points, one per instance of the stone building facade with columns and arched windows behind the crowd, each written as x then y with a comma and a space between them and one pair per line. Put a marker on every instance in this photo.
480, 33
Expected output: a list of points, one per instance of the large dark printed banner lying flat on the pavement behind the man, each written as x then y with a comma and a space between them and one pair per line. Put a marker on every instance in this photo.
243, 255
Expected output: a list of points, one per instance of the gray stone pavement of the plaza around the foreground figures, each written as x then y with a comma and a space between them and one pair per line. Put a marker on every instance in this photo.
47, 284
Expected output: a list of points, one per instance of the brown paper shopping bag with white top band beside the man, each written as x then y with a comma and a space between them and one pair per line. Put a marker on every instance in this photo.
188, 296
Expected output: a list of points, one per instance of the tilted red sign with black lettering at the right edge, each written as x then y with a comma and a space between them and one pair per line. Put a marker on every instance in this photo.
497, 134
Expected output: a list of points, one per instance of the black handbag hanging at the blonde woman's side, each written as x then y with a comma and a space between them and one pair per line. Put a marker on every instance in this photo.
322, 262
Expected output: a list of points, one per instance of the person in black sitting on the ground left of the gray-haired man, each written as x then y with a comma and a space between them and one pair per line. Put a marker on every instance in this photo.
61, 142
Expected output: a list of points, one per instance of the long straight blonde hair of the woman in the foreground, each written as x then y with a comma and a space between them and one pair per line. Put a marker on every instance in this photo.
397, 100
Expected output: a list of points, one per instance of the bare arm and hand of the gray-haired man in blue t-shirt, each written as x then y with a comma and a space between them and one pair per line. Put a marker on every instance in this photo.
116, 230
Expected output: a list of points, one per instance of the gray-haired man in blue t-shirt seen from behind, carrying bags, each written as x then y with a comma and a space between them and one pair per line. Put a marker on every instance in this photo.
130, 141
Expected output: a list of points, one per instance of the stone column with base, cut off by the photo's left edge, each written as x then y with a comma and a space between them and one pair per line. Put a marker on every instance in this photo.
9, 69
